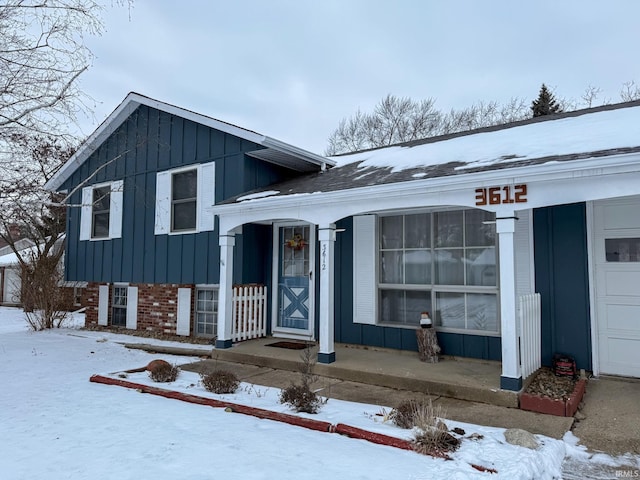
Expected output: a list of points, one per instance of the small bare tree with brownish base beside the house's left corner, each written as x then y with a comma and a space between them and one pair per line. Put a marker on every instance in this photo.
28, 212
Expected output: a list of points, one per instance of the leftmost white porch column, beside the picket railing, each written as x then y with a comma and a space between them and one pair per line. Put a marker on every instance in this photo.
225, 293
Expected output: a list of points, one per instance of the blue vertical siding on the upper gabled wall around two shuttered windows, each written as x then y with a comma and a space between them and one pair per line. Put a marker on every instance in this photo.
147, 142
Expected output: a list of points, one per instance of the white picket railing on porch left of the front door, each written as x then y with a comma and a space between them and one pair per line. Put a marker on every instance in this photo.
249, 312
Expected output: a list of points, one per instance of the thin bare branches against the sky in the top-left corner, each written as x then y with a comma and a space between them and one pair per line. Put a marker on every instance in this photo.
42, 54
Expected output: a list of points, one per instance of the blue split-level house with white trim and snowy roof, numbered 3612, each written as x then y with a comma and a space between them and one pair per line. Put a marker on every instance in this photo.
522, 240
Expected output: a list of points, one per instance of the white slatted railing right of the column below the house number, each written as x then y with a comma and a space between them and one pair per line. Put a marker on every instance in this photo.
530, 333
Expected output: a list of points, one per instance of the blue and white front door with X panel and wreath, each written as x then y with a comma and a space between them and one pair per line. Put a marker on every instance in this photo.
294, 263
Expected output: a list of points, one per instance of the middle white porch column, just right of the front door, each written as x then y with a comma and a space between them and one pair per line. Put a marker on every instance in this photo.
327, 238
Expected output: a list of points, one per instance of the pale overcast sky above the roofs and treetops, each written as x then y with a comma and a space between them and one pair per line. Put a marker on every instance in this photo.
292, 69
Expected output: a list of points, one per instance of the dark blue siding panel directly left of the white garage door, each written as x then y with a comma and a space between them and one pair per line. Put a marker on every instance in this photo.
562, 279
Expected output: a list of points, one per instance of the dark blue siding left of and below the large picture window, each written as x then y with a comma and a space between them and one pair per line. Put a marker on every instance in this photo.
474, 346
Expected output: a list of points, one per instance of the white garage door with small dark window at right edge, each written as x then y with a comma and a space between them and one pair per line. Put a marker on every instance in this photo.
617, 263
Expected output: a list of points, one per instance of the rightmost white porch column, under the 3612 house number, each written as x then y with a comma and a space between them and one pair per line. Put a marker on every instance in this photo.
511, 378
